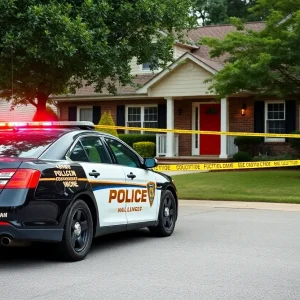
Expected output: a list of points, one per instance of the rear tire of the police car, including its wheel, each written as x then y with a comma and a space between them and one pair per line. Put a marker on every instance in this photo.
78, 233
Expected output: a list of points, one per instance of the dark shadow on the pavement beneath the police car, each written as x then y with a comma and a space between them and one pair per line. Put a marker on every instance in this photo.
37, 253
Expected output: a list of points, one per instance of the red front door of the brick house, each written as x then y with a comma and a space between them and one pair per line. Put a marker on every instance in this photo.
210, 120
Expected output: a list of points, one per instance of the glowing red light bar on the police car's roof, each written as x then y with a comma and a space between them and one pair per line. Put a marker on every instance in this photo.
47, 124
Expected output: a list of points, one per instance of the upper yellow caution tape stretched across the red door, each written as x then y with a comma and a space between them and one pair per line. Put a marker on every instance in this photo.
274, 135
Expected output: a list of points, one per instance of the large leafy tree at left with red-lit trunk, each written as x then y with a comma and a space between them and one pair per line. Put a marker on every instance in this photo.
56, 46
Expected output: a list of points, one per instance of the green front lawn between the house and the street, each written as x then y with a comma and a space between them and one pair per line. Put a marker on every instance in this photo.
257, 186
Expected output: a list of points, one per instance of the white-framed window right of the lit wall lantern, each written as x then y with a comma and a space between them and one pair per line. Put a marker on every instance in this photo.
275, 118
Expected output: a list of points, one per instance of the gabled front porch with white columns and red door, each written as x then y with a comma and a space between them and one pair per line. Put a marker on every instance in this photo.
188, 106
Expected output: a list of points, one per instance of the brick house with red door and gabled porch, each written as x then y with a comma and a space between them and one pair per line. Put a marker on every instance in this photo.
177, 98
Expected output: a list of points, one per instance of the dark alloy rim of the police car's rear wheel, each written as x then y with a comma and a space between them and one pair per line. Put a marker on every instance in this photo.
79, 231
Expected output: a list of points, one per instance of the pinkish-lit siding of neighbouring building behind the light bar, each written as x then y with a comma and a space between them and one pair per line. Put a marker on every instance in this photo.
19, 114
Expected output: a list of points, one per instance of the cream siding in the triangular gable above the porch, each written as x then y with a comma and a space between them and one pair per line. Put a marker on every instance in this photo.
185, 80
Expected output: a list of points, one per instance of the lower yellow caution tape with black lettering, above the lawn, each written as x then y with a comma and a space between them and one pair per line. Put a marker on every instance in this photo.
227, 166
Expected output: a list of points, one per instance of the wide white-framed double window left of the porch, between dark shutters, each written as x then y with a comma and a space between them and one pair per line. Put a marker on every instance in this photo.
141, 116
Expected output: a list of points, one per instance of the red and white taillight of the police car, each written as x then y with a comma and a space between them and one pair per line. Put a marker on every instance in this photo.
19, 179
